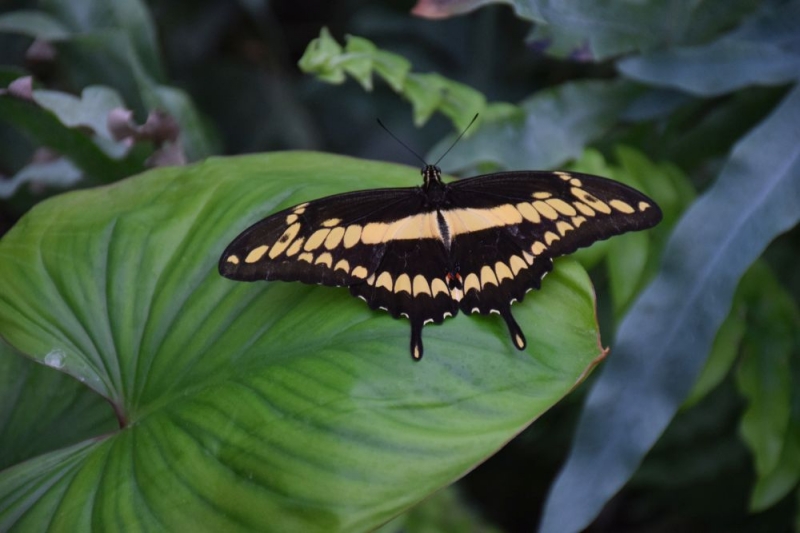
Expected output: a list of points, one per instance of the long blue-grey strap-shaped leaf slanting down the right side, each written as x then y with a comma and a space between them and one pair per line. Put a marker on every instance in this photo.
668, 333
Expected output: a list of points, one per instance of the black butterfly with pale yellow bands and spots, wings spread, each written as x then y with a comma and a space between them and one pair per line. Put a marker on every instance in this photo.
476, 245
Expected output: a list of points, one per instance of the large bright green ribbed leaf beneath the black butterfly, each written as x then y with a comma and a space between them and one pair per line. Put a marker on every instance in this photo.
255, 406
